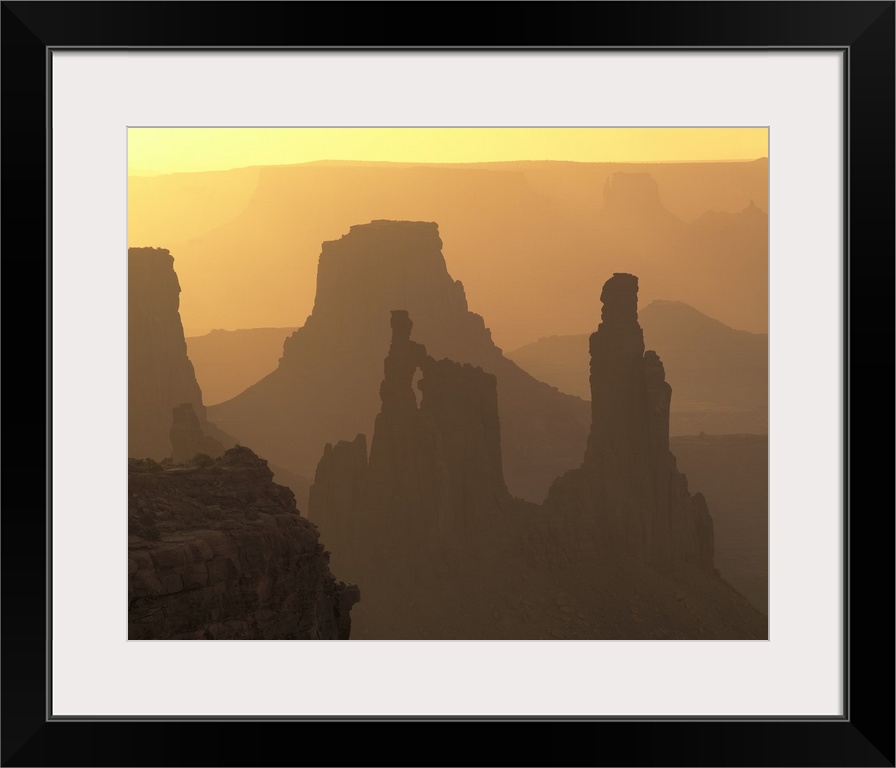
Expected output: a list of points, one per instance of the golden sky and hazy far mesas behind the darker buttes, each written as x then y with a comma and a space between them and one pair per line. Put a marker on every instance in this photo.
538, 214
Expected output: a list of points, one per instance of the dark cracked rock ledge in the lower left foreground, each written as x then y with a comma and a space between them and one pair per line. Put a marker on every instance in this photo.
220, 552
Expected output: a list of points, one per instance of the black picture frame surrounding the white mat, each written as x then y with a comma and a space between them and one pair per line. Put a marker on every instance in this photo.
864, 31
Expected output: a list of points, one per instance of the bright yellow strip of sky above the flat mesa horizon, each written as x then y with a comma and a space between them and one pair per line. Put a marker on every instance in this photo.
175, 150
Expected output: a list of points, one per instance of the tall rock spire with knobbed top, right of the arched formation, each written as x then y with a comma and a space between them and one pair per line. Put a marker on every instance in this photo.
629, 481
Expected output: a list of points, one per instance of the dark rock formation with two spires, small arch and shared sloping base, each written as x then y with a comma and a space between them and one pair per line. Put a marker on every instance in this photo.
442, 551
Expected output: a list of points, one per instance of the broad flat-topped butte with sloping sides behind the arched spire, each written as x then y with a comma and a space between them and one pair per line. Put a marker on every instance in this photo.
326, 384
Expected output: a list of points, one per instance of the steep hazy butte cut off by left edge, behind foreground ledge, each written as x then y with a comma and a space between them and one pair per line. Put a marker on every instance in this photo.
160, 375
